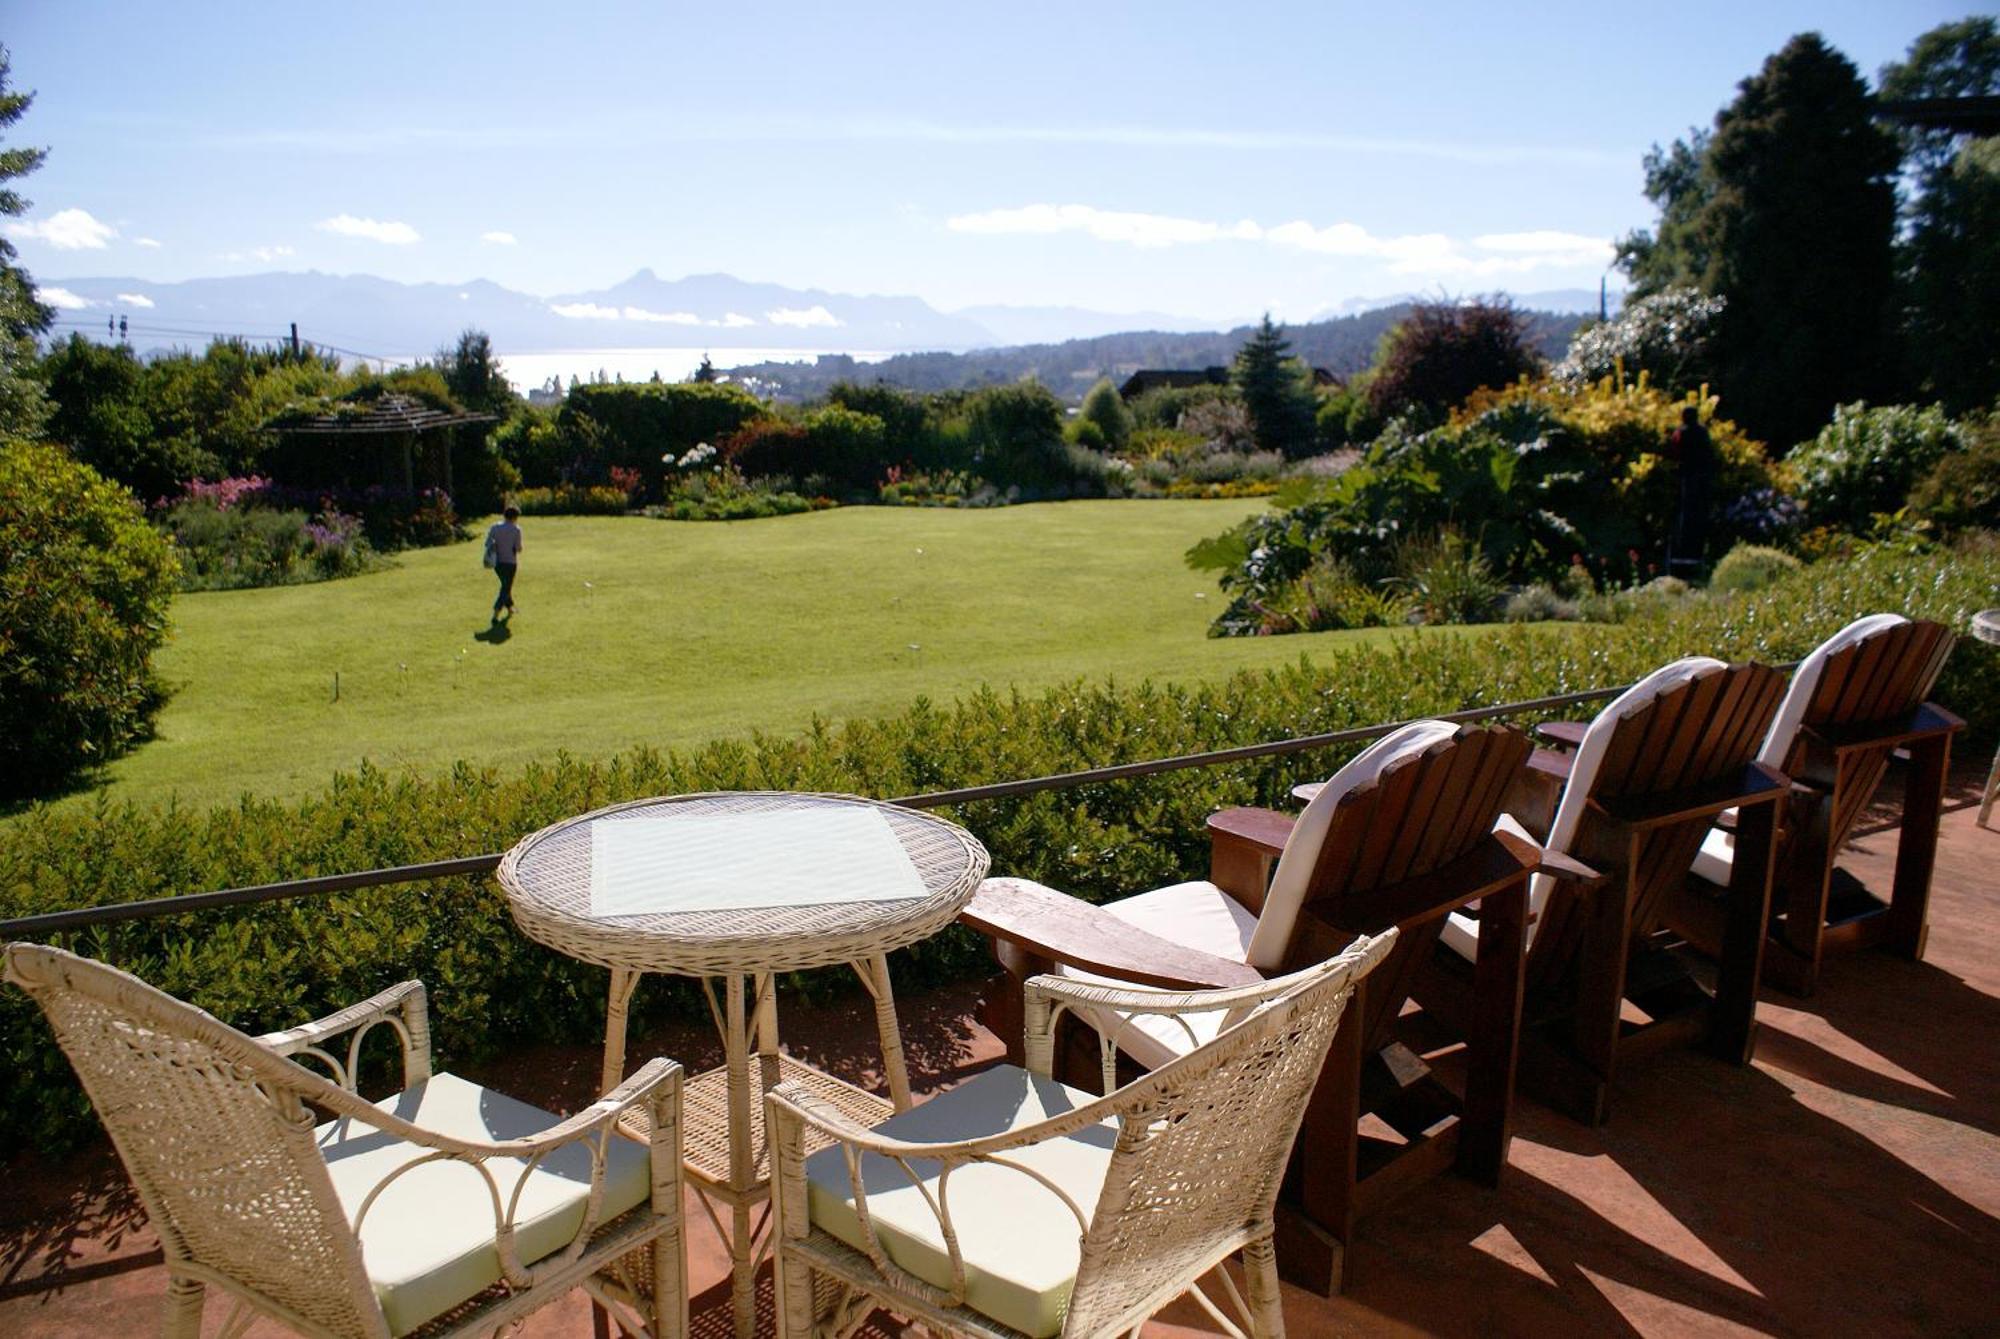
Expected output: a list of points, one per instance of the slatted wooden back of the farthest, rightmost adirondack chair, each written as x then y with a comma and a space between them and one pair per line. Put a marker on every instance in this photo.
1877, 680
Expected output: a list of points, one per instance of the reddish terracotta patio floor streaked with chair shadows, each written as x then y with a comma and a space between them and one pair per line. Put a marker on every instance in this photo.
1847, 1184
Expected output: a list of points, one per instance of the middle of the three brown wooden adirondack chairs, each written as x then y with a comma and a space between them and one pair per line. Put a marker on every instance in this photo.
1637, 798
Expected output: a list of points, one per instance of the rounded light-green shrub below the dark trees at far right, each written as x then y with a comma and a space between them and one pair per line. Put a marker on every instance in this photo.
1867, 461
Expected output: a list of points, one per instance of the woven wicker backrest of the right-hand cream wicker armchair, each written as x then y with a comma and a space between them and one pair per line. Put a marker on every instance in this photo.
1203, 1144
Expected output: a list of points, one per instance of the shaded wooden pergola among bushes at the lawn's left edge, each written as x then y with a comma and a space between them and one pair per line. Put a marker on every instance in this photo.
399, 435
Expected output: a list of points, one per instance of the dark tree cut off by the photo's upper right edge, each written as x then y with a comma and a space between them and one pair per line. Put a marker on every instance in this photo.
1949, 263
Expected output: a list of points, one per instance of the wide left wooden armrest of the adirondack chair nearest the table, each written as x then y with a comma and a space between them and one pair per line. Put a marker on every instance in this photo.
1067, 930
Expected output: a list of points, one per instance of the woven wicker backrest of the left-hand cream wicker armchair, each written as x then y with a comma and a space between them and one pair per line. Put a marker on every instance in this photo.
217, 1138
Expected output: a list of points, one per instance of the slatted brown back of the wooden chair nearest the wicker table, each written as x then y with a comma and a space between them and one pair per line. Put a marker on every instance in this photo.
1417, 818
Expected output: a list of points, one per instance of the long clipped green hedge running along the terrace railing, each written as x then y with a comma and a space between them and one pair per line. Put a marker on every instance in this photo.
277, 964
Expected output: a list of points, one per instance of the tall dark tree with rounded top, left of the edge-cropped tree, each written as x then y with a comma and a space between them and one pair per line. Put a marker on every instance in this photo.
1787, 213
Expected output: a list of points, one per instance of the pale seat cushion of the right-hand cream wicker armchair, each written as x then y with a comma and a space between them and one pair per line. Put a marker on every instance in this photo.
1021, 1244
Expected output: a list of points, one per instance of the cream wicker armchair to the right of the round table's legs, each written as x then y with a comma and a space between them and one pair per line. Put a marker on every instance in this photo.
1015, 1206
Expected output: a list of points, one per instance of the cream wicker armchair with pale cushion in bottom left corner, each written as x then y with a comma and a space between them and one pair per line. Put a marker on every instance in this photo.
445, 1210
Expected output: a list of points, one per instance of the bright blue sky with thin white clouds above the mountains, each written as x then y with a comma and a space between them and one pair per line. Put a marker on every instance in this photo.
1193, 159
